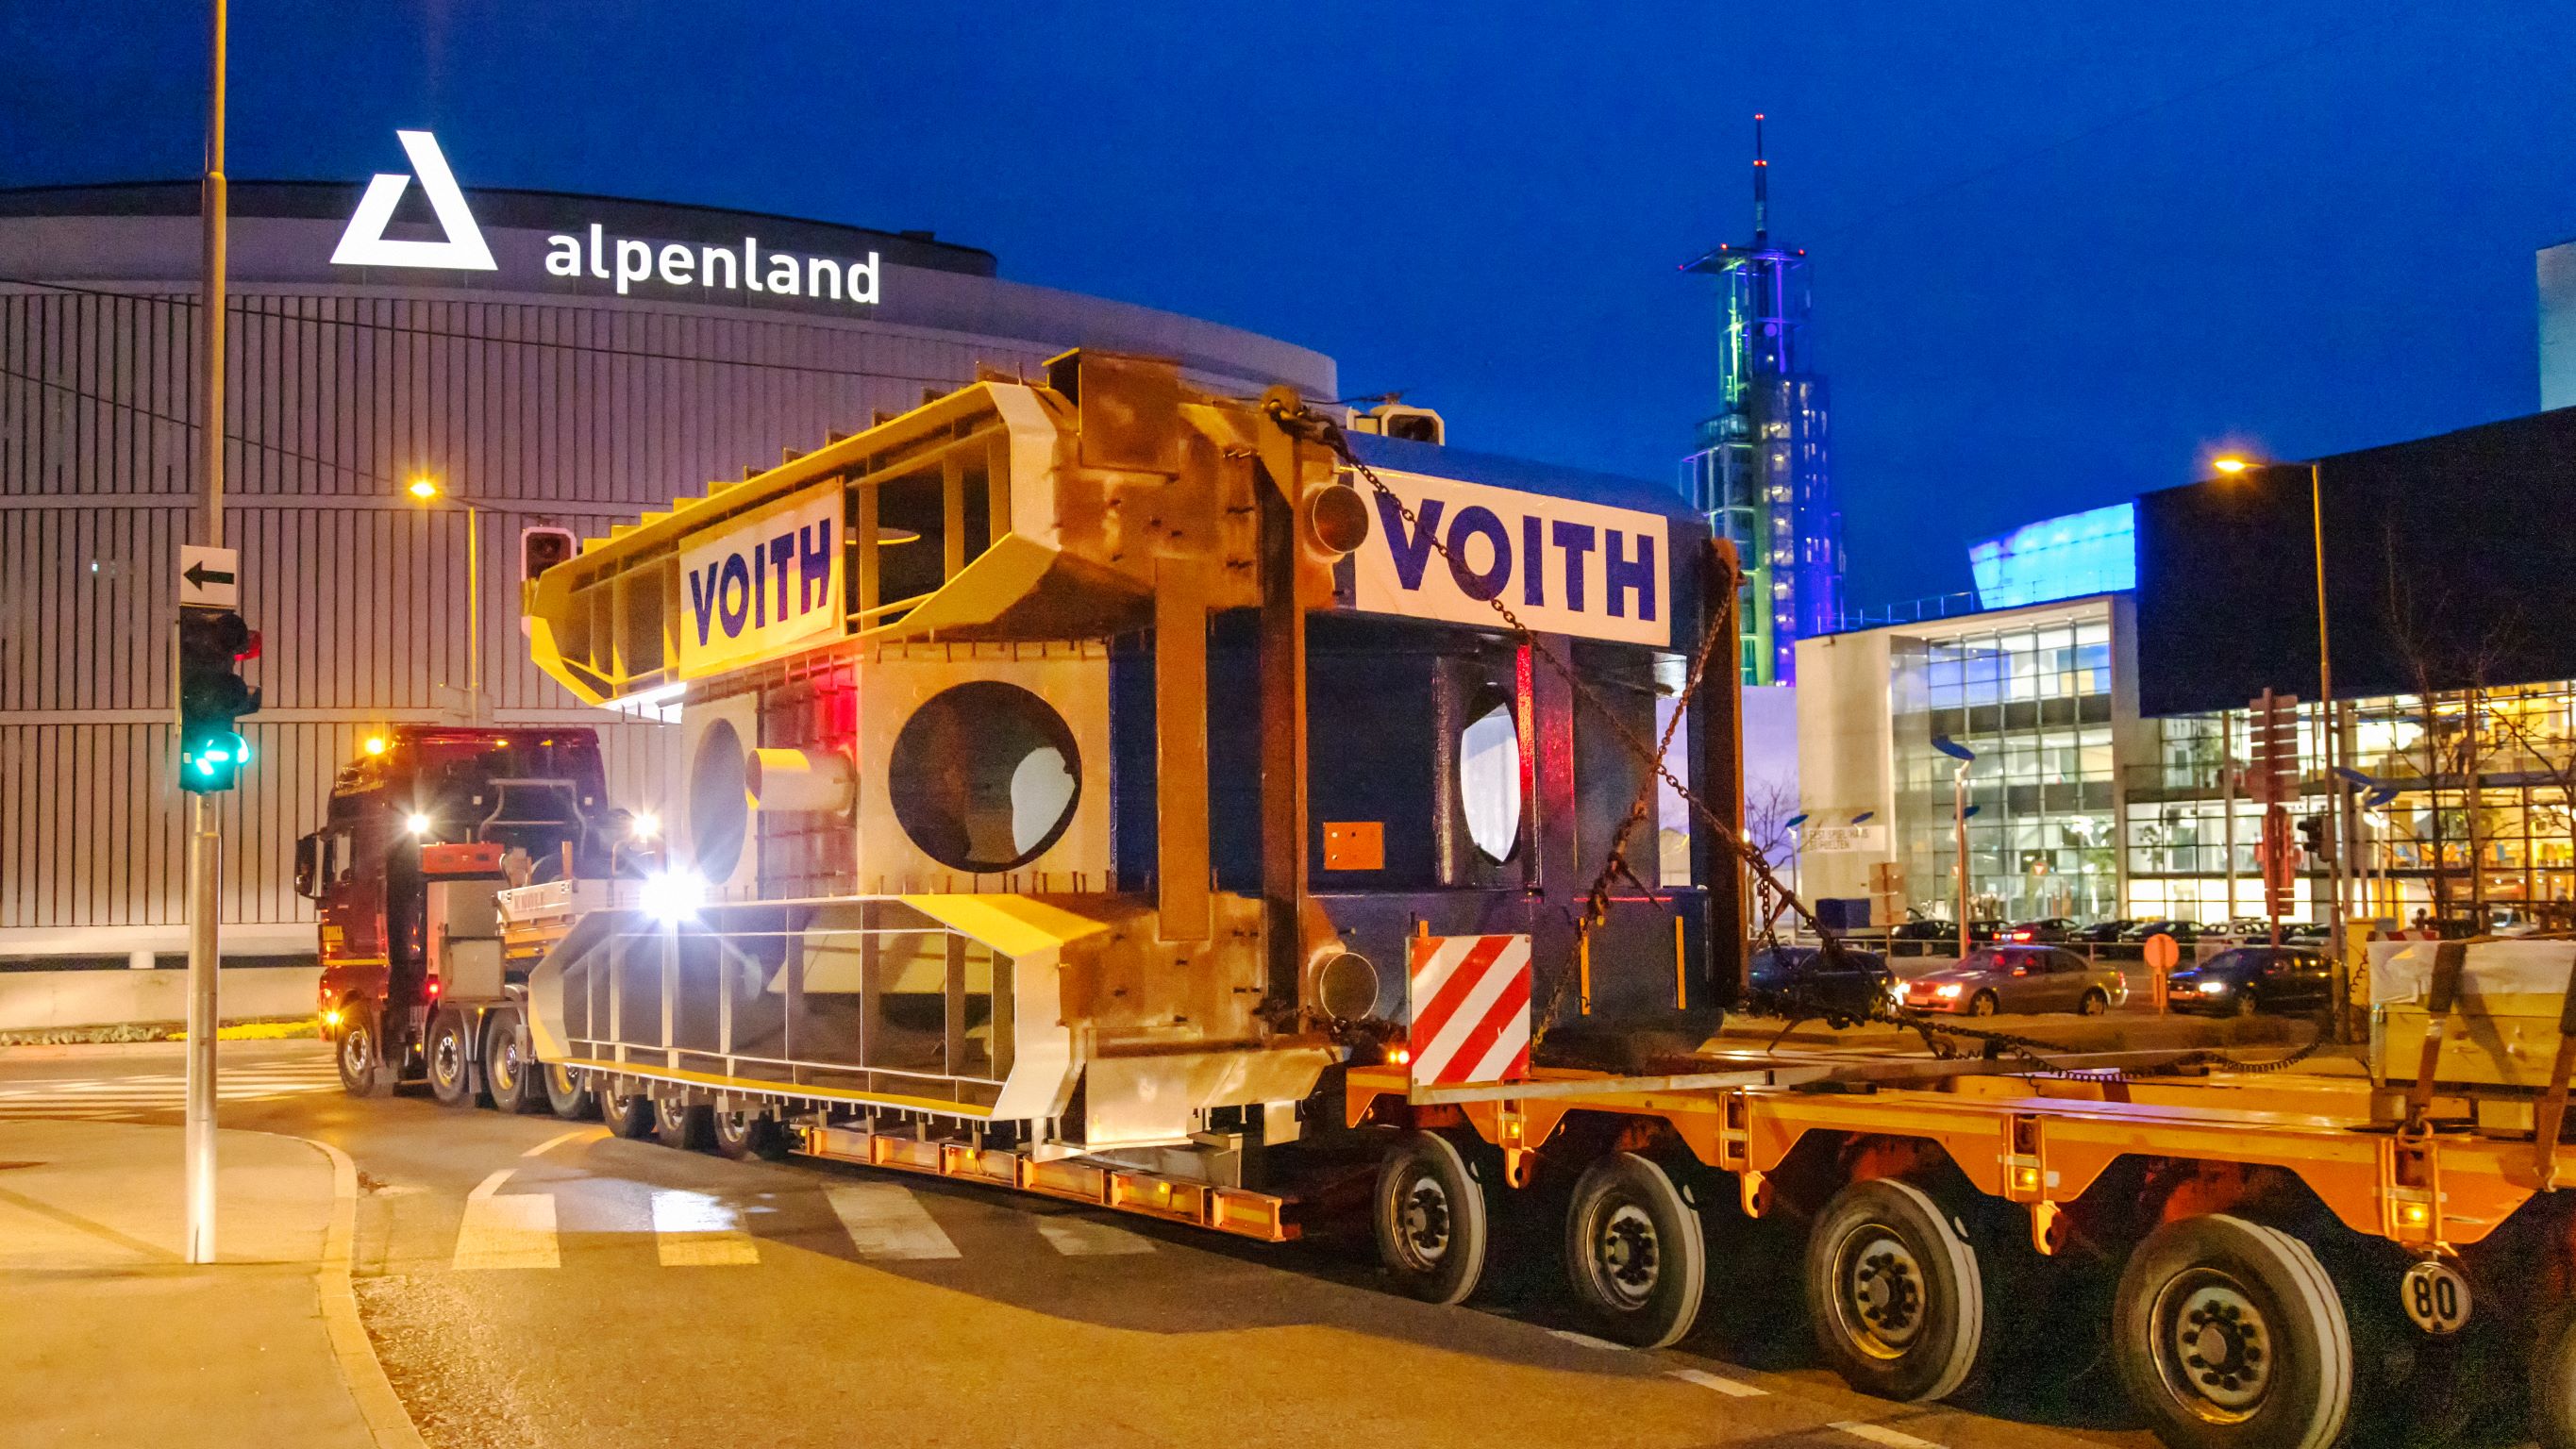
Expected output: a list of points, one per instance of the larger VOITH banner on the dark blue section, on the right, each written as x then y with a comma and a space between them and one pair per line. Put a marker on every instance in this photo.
1565, 568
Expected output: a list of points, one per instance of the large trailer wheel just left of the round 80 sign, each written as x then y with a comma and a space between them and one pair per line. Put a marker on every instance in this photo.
2232, 1337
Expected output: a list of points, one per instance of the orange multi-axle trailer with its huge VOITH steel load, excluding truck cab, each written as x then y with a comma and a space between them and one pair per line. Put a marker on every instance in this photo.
1155, 799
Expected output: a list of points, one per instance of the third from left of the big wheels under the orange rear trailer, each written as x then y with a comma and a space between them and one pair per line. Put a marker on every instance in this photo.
1895, 1293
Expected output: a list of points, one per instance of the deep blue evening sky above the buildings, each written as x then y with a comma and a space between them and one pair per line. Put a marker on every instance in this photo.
2320, 238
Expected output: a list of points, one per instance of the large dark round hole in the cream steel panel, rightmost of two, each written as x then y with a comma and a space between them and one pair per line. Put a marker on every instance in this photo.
985, 776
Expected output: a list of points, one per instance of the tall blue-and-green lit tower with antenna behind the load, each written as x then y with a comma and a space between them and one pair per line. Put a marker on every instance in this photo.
1761, 472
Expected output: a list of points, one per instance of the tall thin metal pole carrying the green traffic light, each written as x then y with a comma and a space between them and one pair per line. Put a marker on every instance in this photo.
205, 827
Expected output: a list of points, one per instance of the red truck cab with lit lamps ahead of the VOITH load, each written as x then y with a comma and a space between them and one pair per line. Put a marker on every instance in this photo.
426, 827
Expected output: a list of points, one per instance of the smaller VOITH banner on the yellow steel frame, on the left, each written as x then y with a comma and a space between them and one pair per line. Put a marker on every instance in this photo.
761, 586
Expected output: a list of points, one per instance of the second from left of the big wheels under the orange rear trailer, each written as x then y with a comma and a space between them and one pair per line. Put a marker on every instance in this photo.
1634, 1252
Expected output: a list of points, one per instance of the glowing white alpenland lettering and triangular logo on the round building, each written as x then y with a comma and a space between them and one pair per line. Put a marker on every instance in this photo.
620, 261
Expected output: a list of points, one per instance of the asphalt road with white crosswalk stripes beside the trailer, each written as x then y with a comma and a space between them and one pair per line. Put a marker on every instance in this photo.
537, 1283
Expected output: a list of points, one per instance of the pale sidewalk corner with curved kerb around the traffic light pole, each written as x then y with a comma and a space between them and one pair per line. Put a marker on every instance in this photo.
117, 1342
